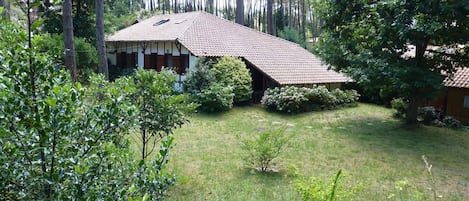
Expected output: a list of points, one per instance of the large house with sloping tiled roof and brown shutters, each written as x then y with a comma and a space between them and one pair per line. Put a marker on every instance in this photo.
176, 40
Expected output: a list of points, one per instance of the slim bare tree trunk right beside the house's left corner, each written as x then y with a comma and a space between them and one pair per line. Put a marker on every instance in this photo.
103, 68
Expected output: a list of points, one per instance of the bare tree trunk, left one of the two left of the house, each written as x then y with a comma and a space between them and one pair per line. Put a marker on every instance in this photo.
70, 62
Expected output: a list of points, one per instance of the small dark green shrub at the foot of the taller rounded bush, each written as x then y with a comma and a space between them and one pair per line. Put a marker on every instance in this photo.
216, 98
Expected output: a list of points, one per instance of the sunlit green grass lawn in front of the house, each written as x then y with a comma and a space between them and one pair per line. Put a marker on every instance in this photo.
373, 149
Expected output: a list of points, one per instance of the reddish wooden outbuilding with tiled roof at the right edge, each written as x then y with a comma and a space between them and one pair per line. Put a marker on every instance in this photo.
457, 95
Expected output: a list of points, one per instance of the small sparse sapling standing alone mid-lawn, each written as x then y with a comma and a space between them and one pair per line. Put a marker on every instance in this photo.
264, 148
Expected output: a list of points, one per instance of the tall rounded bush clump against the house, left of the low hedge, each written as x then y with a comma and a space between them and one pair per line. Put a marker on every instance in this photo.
216, 83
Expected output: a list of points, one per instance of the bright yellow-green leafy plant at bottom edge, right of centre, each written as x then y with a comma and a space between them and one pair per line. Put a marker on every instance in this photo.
316, 189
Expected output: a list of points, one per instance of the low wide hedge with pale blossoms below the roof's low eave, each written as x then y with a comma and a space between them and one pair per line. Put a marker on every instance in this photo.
292, 99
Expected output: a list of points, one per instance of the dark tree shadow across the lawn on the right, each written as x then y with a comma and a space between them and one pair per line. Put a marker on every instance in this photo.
391, 136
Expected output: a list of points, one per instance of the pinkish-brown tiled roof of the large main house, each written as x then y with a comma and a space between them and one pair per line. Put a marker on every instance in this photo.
207, 35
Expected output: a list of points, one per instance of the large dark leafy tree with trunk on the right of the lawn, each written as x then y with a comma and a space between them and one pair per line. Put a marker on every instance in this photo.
370, 41
